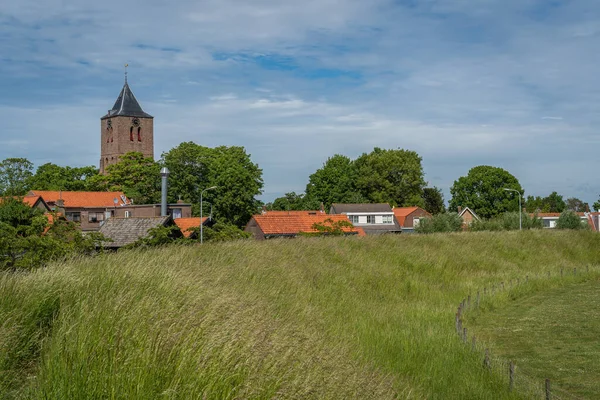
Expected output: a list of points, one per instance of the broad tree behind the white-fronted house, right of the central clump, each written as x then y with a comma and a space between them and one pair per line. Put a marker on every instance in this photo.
391, 176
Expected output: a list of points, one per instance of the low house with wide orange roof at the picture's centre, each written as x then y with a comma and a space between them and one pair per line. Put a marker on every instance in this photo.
273, 226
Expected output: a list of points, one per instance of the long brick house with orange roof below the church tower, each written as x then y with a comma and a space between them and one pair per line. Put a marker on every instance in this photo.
91, 209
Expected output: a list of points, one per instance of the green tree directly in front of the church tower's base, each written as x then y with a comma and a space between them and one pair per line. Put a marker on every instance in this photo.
135, 175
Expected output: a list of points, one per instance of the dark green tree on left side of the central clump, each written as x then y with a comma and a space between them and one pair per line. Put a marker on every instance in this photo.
334, 183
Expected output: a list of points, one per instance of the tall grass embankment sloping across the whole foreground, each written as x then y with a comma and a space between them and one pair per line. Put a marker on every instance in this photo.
312, 318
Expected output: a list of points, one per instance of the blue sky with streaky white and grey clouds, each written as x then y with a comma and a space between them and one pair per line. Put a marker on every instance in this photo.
508, 83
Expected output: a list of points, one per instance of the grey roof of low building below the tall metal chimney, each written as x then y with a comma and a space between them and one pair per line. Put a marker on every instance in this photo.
124, 231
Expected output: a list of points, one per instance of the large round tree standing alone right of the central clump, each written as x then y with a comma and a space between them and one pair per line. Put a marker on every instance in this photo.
482, 190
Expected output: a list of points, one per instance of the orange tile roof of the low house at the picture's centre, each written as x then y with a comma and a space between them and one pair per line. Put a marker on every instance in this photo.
294, 224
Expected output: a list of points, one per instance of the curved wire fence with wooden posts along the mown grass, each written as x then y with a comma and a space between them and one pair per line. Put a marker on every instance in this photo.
517, 379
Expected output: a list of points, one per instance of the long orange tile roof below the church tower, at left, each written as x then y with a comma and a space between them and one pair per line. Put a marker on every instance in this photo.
81, 199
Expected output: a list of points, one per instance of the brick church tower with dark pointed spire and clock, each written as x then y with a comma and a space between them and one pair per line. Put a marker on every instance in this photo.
125, 128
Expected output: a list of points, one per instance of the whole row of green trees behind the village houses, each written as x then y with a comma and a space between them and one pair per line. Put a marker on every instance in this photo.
393, 176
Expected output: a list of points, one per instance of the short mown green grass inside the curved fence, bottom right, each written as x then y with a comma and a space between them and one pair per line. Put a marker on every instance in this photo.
550, 334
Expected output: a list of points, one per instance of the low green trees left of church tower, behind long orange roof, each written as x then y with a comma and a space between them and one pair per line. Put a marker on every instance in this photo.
54, 177
